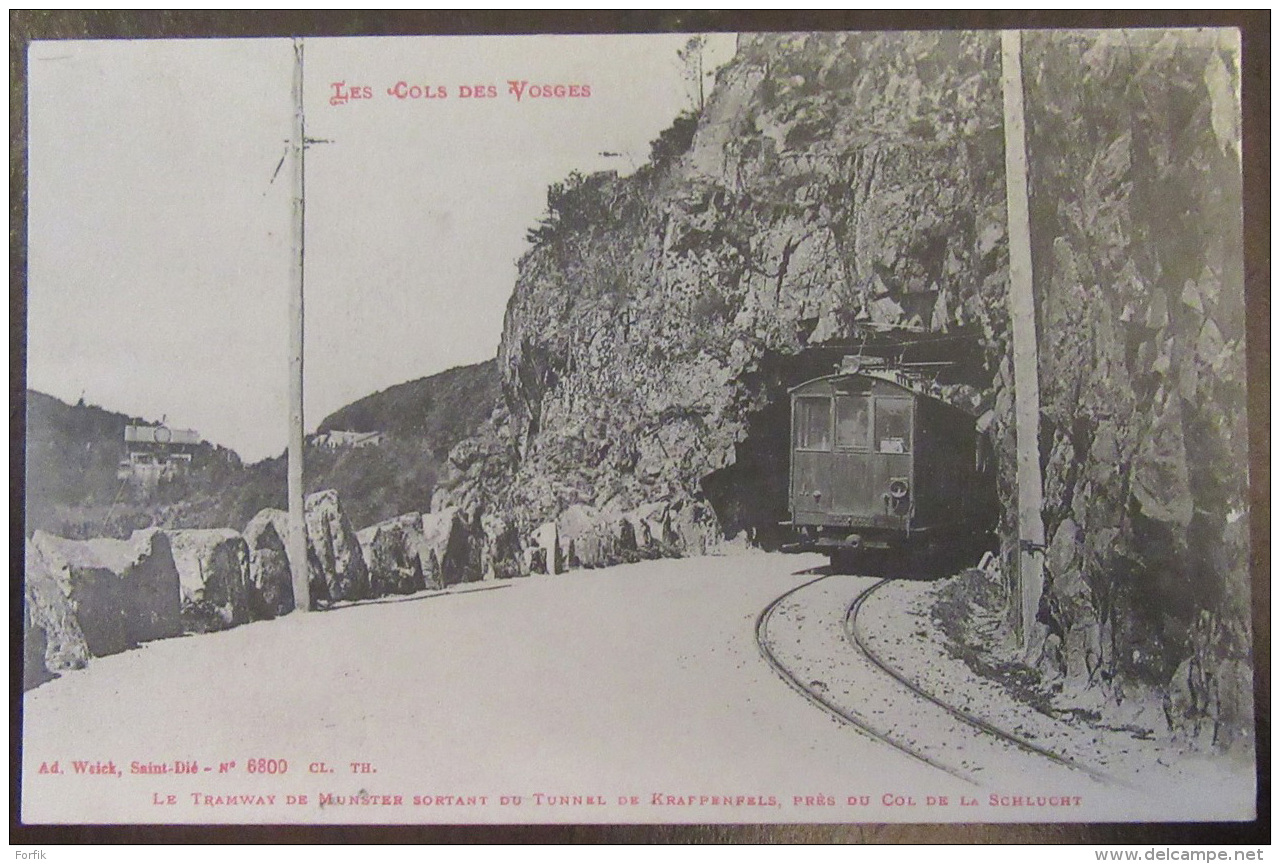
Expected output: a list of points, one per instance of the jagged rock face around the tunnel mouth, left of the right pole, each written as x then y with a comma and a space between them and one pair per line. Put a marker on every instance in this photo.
833, 180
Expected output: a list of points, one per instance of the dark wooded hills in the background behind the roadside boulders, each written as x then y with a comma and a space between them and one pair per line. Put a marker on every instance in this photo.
74, 451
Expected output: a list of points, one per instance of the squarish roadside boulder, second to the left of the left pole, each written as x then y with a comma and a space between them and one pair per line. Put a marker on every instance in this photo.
214, 573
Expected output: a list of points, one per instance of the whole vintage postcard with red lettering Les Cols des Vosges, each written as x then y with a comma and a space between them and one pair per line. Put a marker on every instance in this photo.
691, 428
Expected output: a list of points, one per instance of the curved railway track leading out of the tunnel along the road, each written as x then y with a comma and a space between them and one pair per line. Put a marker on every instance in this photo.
908, 700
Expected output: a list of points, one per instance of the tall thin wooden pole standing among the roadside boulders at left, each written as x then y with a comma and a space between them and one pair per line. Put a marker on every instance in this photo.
298, 540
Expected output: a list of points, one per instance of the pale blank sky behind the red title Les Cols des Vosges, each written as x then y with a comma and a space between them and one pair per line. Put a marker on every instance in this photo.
159, 243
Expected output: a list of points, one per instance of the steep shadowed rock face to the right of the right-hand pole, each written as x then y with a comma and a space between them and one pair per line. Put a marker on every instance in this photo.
1136, 204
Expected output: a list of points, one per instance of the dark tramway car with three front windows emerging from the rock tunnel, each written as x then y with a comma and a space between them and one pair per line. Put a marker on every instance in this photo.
880, 467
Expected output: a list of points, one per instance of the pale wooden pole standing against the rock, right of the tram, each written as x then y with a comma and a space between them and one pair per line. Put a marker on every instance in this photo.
1022, 314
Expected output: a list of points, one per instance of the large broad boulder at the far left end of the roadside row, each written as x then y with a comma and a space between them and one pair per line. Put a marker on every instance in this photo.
118, 592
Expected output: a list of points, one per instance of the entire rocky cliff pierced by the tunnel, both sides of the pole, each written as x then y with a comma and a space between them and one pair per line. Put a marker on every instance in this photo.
836, 185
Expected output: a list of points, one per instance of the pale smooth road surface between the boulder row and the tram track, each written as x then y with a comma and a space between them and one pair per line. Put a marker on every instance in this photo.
639, 680
